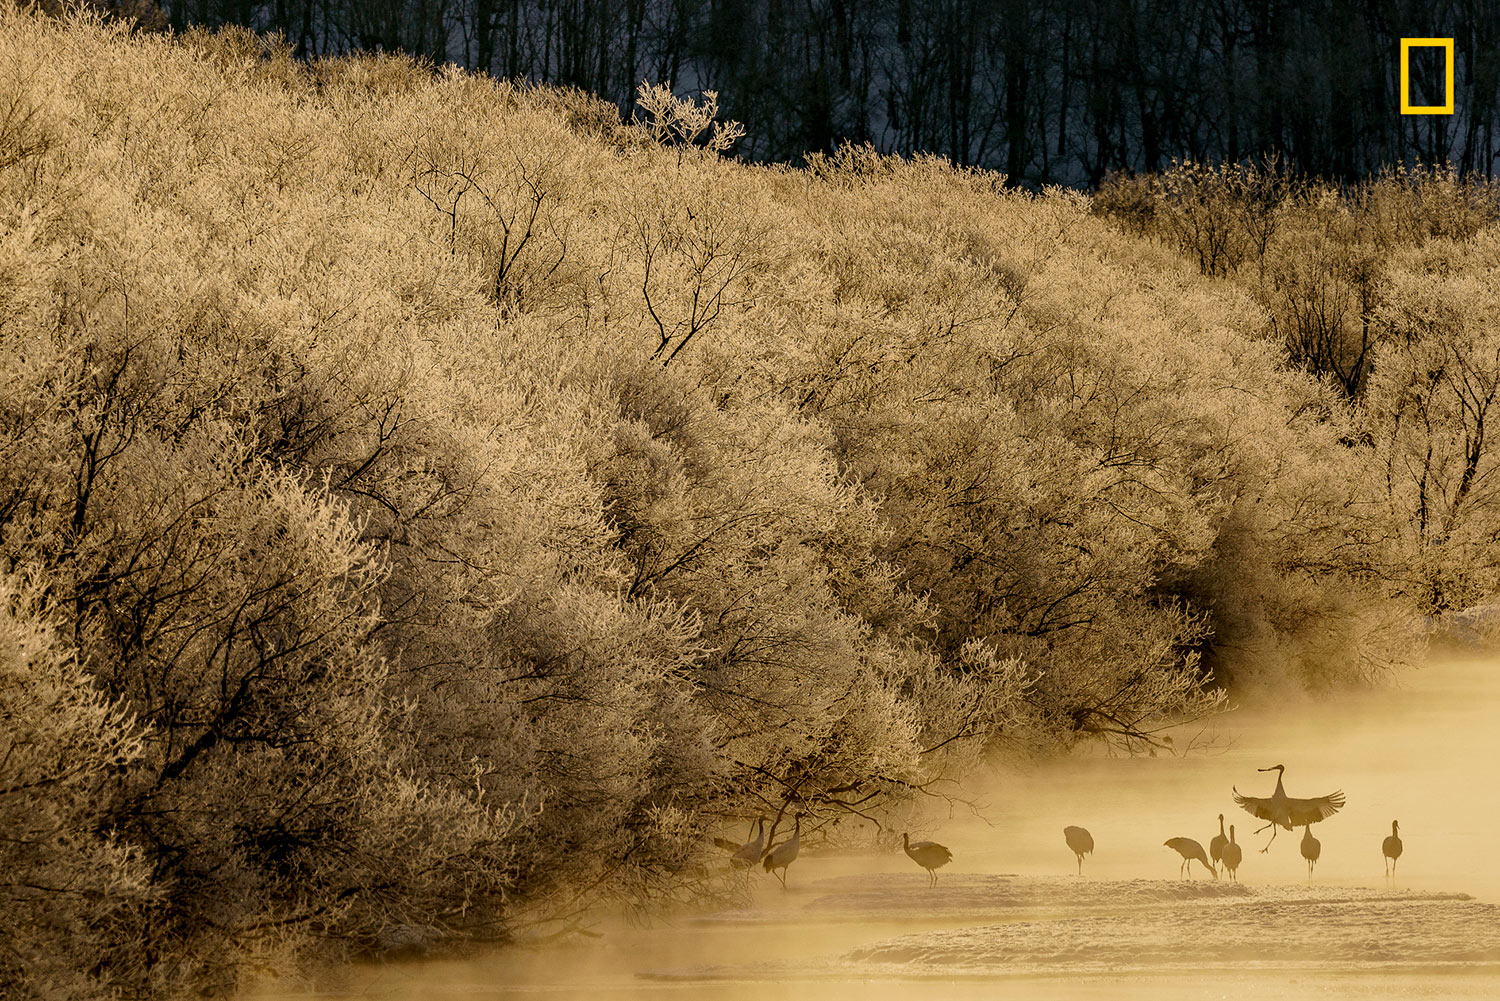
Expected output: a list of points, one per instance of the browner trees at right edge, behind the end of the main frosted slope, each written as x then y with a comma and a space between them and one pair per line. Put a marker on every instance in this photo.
1379, 290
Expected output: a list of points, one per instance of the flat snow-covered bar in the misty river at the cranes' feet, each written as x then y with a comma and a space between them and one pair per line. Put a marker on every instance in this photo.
1012, 927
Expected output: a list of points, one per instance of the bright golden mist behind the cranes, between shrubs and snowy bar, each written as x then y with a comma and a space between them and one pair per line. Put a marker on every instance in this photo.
1424, 751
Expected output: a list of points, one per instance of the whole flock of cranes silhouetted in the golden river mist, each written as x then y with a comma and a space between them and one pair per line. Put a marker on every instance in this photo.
1277, 810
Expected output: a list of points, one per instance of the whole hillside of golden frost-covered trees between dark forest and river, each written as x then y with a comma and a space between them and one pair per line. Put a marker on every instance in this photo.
431, 507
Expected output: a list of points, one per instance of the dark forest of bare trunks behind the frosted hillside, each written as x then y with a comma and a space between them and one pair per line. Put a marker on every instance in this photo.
1048, 92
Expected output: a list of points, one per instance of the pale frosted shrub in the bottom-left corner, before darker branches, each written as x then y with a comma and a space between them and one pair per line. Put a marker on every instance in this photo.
77, 897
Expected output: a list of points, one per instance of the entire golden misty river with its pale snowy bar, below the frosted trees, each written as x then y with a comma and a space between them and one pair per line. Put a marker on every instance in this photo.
1010, 921
